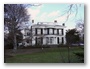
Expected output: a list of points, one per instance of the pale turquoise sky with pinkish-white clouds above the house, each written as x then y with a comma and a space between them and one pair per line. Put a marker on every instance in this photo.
49, 12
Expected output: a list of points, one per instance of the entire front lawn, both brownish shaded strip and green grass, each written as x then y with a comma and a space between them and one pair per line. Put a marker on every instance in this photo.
58, 54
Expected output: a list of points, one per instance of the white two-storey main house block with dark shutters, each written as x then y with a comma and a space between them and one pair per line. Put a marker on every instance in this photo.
48, 33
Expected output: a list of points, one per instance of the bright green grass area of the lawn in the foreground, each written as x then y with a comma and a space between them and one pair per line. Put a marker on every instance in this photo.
48, 55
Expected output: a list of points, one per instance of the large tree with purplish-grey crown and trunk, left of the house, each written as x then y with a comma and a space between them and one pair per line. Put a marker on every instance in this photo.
14, 16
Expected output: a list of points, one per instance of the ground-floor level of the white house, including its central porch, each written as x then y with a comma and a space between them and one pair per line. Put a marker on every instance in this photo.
49, 41
